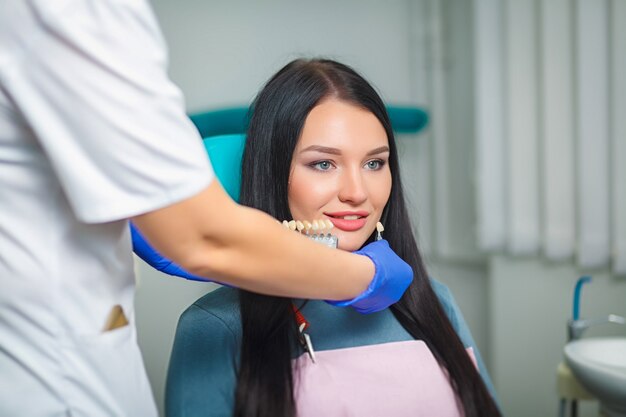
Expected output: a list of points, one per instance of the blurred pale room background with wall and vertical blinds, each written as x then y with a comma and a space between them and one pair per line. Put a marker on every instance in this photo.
517, 185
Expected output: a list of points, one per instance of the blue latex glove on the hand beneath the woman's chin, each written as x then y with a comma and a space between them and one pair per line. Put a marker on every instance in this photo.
393, 276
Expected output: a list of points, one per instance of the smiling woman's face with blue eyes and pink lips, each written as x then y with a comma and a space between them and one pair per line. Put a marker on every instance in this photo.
340, 171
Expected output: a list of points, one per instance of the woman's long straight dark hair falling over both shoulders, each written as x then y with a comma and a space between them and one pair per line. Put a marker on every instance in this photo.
265, 380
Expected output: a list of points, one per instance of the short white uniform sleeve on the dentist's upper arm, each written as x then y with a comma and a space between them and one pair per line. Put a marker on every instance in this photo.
90, 78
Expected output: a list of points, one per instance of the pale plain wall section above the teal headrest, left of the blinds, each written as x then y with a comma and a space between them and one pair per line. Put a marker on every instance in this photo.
223, 51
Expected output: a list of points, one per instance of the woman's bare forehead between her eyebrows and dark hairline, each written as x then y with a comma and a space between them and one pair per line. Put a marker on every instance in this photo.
341, 125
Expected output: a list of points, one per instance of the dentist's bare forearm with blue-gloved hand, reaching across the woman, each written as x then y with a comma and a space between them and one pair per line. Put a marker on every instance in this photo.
211, 236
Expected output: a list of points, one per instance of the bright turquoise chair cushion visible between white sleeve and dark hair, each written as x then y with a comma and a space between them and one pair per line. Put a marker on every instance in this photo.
225, 153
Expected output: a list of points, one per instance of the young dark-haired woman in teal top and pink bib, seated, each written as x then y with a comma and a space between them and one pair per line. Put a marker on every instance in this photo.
320, 146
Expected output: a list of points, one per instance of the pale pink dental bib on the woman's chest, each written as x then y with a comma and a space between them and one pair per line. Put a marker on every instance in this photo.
391, 379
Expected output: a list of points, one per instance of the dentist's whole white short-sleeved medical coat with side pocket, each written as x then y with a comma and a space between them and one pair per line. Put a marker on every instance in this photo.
92, 132
